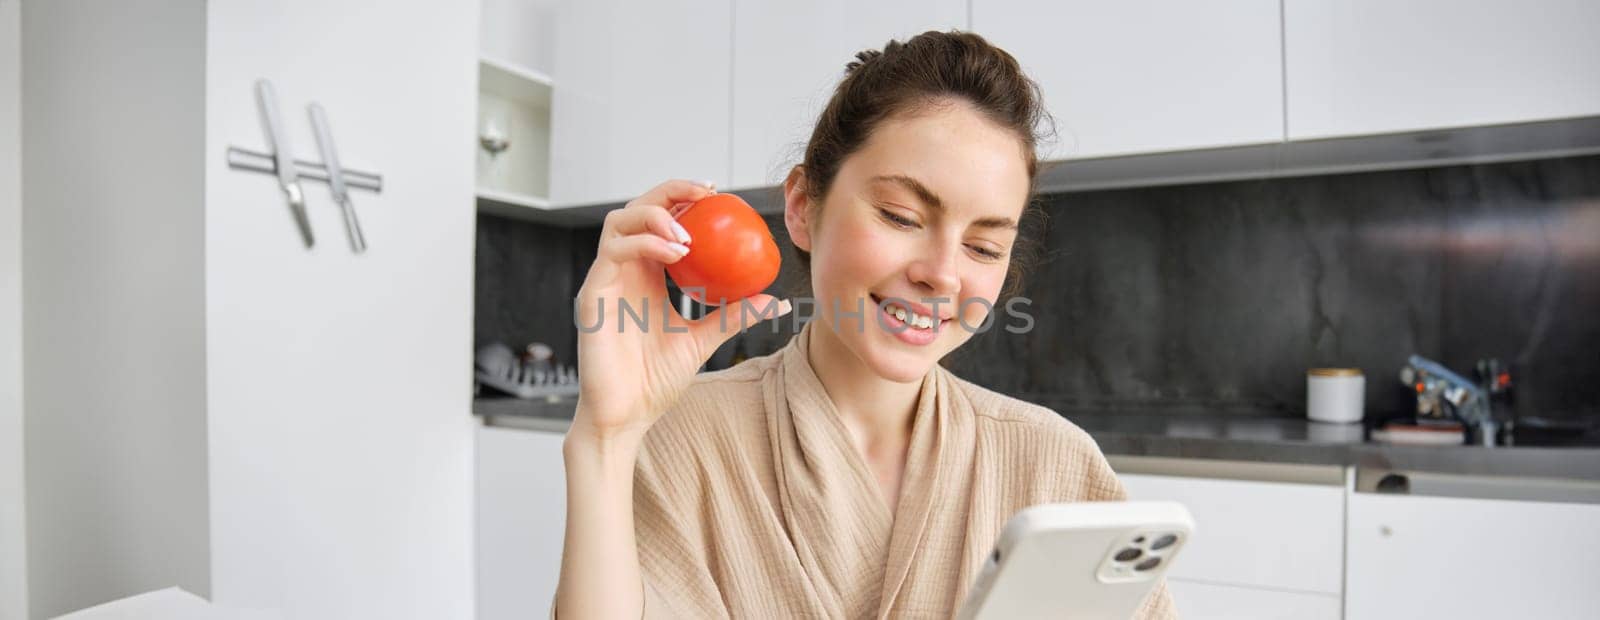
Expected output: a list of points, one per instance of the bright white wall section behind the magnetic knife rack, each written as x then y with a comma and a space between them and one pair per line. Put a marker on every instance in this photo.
340, 386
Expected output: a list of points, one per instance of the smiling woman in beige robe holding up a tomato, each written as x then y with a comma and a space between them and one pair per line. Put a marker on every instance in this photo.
847, 475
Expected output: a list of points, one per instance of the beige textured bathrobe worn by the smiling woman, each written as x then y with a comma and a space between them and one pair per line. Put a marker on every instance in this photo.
753, 503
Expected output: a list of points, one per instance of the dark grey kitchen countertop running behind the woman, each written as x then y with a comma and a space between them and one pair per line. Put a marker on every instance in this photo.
1238, 439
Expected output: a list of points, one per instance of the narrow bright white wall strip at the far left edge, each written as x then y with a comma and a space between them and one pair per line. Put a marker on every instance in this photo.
14, 547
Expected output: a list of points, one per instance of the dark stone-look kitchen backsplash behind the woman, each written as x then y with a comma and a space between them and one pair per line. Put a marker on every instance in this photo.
1217, 298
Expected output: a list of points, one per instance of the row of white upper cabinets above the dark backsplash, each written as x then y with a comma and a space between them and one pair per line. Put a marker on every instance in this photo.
730, 90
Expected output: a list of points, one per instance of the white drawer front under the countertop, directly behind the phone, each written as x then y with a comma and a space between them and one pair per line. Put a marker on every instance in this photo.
1252, 533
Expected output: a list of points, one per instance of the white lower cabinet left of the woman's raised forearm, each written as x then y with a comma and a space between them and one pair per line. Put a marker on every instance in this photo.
522, 520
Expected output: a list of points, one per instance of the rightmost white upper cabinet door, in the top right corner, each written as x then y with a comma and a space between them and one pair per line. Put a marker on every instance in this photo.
1375, 66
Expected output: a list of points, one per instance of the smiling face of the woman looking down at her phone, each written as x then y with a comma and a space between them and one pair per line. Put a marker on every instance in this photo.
922, 218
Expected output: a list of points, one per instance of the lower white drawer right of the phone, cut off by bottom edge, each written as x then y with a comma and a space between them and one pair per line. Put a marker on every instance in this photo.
1199, 602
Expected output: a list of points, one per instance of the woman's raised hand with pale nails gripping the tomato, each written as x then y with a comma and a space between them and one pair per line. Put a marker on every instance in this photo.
630, 375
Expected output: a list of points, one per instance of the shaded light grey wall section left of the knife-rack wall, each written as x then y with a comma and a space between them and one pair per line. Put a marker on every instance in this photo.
113, 300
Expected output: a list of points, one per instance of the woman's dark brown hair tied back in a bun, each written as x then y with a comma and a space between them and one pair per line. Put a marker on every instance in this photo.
922, 73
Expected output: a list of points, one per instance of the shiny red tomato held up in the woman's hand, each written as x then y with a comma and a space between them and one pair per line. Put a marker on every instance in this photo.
732, 252
